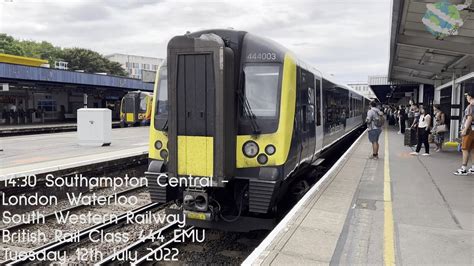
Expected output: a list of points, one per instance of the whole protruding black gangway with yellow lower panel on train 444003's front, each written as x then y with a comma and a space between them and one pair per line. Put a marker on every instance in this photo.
201, 120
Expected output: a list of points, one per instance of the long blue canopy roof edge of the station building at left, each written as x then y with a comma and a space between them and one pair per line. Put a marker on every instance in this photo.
19, 73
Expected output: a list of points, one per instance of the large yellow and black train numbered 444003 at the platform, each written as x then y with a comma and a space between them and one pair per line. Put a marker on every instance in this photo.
237, 117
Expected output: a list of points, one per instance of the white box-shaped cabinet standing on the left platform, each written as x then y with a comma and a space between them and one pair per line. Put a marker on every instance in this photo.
94, 126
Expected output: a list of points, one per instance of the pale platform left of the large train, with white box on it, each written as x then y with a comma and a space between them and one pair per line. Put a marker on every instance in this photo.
51, 153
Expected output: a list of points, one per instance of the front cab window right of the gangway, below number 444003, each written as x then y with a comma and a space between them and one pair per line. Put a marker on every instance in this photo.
261, 89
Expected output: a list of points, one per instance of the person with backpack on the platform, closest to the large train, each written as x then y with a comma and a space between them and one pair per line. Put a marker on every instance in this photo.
375, 121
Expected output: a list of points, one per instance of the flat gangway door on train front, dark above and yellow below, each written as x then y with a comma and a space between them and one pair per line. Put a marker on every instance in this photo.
195, 89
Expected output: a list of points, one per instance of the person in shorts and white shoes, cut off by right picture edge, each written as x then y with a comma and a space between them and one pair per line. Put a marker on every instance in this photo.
467, 135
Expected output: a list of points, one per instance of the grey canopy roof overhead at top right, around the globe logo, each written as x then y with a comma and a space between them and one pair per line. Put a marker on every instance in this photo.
418, 56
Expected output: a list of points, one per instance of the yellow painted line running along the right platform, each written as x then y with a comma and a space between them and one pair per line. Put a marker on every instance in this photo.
388, 232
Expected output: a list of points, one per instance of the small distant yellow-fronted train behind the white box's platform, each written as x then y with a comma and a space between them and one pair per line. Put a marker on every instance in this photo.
136, 108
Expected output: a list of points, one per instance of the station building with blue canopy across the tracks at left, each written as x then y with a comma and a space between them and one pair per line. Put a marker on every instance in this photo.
31, 92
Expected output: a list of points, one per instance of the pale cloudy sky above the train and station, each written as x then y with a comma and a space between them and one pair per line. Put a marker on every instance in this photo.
346, 38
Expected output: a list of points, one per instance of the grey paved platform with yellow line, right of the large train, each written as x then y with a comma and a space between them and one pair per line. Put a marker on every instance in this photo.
400, 209
